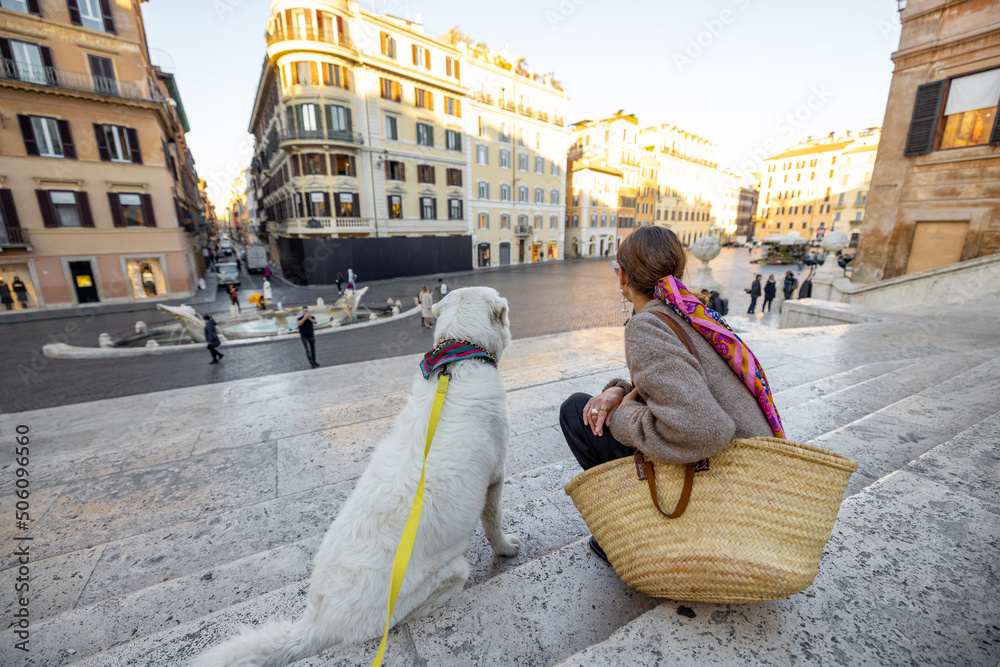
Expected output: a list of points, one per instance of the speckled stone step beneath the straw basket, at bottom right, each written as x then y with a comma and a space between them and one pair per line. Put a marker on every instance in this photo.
909, 577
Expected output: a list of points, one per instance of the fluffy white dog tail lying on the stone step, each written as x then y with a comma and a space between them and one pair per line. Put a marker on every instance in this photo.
270, 645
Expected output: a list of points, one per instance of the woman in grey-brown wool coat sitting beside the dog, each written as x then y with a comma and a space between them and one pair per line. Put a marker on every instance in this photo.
675, 409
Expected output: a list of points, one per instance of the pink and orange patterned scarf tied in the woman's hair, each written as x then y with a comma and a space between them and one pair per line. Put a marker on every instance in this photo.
725, 342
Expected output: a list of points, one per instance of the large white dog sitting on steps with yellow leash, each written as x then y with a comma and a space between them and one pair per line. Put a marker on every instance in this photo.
349, 588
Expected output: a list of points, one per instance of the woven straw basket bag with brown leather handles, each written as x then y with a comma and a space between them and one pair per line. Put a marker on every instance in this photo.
754, 529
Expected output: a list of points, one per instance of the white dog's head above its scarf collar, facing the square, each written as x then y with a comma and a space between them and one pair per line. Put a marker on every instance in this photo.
475, 314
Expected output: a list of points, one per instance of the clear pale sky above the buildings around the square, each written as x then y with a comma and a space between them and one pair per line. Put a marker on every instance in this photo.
742, 73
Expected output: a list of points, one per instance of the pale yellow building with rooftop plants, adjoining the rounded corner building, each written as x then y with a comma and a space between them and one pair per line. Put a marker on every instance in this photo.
517, 144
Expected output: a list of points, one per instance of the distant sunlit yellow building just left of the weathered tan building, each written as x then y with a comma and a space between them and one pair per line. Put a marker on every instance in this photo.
819, 186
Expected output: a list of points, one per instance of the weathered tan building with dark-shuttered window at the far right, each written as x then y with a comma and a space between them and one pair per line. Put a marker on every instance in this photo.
934, 196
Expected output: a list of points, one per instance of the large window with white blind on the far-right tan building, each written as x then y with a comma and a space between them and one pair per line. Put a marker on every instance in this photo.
971, 109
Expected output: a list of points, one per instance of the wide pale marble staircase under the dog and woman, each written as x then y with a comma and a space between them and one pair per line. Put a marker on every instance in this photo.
163, 522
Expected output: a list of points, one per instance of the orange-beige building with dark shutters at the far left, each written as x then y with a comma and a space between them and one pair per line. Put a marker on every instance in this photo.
98, 195
